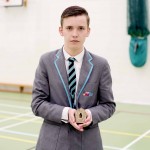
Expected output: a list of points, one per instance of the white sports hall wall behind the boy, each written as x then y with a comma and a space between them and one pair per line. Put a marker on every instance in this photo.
26, 33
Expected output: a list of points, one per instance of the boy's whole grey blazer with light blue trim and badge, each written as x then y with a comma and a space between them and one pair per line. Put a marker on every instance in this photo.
51, 95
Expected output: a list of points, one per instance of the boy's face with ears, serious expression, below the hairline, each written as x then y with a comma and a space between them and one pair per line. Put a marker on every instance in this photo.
74, 30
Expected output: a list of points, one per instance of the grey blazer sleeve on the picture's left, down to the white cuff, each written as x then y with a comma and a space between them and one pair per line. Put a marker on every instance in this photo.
41, 105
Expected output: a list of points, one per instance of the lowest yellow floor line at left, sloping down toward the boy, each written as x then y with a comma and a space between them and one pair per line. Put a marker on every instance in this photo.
17, 139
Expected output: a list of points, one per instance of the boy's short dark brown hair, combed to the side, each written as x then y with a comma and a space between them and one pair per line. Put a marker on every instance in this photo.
74, 11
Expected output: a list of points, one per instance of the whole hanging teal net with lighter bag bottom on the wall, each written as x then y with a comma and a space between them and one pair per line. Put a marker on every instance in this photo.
138, 29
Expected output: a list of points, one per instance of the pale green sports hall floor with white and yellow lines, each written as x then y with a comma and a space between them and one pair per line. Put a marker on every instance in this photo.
128, 129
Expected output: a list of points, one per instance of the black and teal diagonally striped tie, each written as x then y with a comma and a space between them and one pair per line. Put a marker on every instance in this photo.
72, 79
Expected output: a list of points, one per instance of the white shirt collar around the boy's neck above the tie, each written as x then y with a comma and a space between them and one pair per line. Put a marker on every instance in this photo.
78, 57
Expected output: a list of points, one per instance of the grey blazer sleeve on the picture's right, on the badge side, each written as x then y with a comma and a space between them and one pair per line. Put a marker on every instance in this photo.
106, 105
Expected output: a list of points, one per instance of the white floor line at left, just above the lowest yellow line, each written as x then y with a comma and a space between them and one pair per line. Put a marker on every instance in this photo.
19, 133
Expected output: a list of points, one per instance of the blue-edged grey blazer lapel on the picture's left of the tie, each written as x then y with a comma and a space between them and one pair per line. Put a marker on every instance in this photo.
61, 69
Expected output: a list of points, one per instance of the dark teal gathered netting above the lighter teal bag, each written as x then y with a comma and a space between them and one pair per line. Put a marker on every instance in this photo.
137, 18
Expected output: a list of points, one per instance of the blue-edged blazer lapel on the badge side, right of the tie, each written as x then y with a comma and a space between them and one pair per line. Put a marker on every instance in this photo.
86, 70
